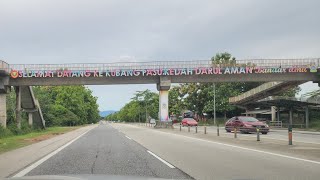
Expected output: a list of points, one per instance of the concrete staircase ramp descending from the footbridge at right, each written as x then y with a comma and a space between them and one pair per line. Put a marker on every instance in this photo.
261, 92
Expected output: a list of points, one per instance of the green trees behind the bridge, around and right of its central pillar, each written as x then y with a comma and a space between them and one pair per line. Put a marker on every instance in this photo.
195, 97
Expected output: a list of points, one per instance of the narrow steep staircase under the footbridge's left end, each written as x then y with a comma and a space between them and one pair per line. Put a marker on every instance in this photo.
31, 105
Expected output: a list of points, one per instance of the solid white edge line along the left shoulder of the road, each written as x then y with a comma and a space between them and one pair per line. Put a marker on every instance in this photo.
36, 164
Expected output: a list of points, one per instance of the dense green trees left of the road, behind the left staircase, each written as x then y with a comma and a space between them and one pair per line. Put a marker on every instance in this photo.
60, 105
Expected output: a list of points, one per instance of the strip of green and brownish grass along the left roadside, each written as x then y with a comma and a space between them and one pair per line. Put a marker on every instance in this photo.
12, 142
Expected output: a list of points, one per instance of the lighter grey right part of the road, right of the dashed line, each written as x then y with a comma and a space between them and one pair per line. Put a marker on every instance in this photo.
206, 159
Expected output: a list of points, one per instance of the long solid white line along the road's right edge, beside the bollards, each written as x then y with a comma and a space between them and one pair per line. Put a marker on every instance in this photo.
248, 149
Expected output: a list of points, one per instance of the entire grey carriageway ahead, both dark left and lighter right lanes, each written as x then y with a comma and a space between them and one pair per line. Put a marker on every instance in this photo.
133, 150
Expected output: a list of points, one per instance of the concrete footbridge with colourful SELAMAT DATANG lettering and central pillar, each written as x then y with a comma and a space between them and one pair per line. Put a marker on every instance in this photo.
162, 73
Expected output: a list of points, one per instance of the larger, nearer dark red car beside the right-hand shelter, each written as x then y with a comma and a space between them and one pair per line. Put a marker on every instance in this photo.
246, 124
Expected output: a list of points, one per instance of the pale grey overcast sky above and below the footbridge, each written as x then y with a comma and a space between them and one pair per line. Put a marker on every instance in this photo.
71, 31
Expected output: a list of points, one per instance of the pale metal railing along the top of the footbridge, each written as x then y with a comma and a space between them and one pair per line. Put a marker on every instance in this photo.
283, 63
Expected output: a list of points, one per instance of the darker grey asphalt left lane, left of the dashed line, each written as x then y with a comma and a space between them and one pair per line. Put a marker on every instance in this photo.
105, 150
